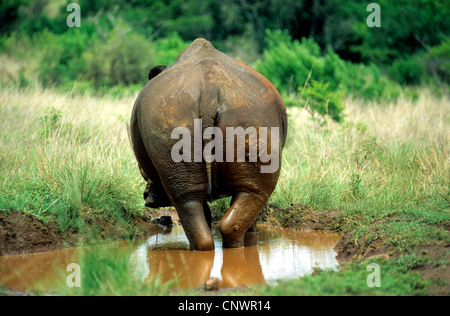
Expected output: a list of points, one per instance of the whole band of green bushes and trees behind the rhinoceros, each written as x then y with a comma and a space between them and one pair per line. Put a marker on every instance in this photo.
119, 40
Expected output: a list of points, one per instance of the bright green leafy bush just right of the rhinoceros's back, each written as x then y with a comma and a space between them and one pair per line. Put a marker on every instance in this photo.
290, 64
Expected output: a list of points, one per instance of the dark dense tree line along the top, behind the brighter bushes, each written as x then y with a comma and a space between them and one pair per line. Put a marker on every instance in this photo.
407, 27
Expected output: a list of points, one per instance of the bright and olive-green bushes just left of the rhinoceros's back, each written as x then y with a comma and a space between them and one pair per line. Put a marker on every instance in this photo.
75, 60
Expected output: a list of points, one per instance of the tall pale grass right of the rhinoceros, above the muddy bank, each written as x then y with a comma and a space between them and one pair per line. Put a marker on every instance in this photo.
390, 157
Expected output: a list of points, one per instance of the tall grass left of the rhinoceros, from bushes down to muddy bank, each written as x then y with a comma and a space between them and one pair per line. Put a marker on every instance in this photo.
67, 157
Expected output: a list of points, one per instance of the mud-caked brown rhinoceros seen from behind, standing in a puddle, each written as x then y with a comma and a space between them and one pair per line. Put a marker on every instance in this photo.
206, 84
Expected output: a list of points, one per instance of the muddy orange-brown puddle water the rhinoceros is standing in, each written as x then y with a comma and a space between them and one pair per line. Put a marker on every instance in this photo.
270, 254
